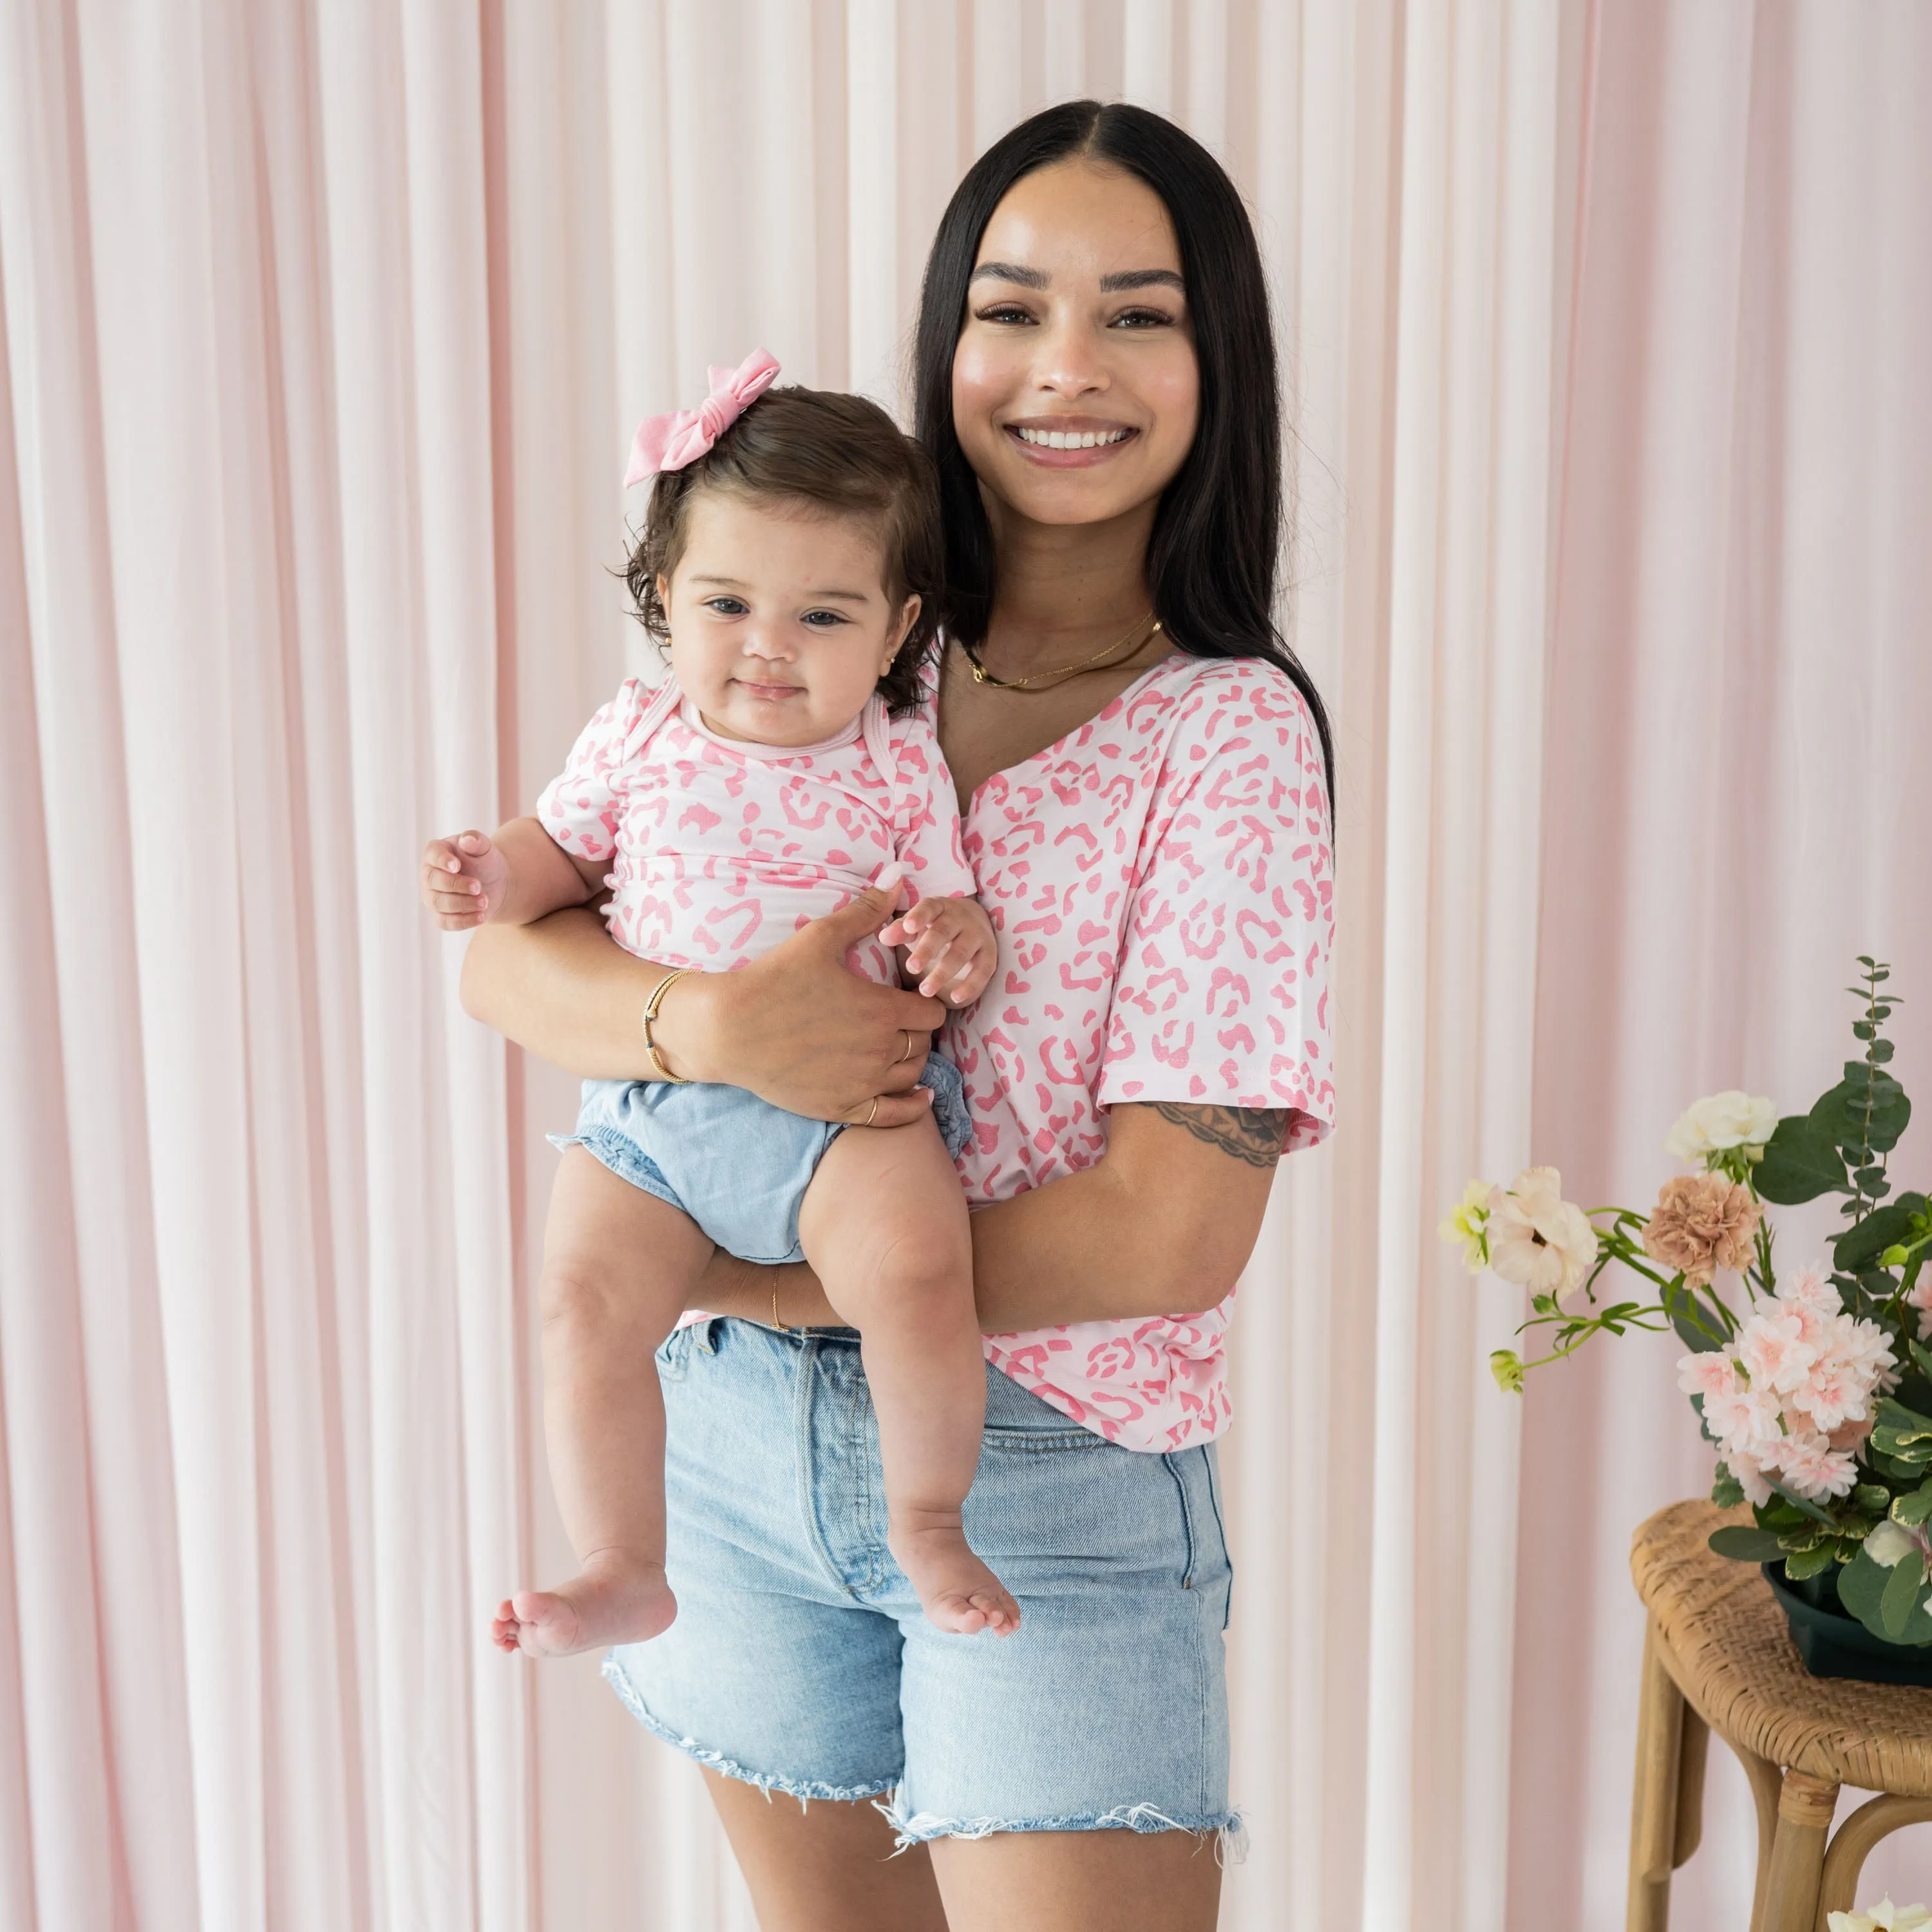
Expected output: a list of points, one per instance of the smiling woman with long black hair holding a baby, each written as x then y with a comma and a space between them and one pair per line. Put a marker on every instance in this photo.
1143, 768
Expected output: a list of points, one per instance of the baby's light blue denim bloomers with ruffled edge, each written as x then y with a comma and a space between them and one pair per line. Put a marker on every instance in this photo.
729, 1160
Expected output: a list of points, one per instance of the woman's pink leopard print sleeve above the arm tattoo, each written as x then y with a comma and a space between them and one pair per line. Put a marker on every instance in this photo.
1224, 986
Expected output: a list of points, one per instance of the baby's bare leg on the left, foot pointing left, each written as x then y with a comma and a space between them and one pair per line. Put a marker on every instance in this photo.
619, 1268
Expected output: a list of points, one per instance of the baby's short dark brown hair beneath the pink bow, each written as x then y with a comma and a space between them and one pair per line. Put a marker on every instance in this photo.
832, 453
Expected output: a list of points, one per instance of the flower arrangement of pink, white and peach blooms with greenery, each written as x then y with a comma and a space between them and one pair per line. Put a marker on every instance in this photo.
1817, 1388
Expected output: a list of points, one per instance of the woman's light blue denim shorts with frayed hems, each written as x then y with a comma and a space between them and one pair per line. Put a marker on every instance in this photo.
801, 1661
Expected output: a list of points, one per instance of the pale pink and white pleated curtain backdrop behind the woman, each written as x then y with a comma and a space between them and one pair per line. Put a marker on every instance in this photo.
322, 339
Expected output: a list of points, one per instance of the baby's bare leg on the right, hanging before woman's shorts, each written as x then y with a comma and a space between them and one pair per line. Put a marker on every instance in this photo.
884, 1224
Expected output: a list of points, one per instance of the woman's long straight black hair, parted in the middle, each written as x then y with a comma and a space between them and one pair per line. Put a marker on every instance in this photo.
1216, 542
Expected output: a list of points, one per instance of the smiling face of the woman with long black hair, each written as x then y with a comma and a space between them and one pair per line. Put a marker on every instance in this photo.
1075, 387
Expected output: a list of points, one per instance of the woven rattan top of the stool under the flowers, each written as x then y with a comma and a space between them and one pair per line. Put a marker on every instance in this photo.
1744, 1674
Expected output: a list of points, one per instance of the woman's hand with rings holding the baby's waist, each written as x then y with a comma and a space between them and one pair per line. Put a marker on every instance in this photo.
803, 1031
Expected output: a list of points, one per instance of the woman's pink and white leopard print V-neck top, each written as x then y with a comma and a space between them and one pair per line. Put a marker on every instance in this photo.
1162, 882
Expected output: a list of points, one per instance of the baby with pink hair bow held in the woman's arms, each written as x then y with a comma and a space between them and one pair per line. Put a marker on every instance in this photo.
789, 561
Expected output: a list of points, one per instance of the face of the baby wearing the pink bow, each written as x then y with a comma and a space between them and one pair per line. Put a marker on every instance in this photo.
780, 619
